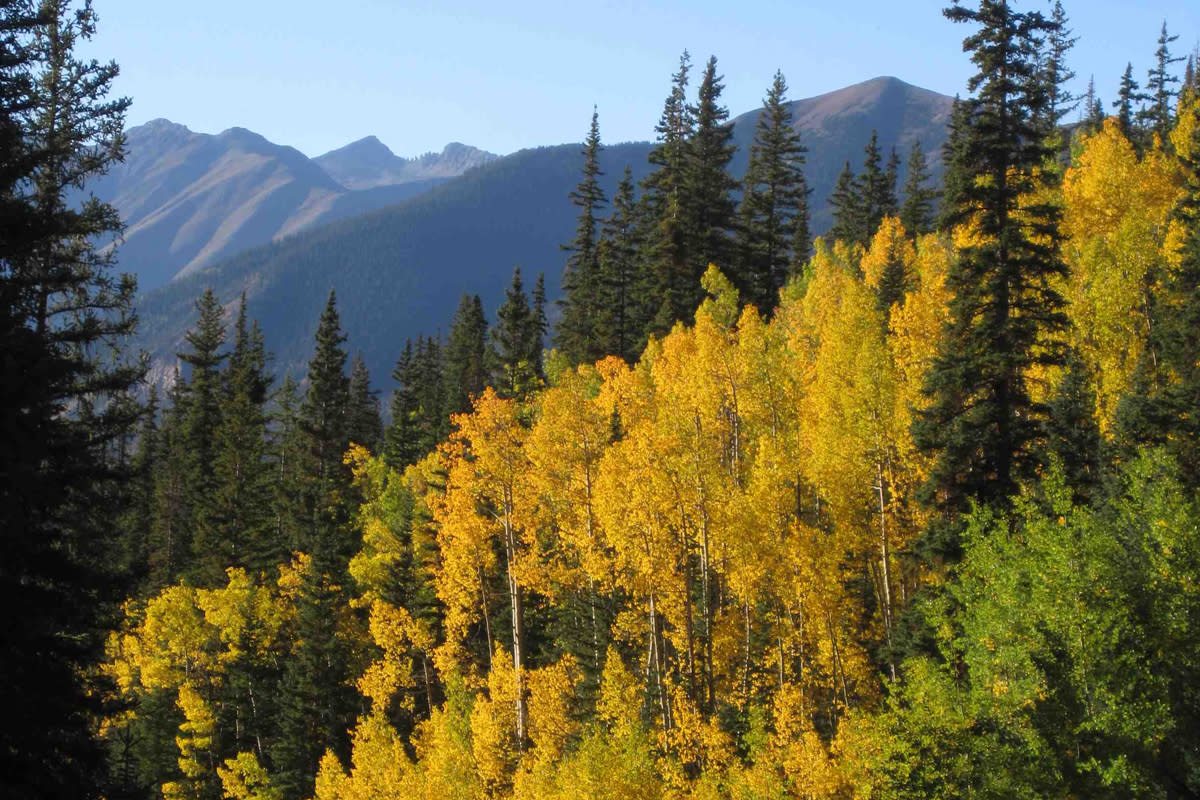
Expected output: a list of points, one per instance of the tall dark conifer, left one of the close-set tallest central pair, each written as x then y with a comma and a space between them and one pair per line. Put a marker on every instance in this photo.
664, 208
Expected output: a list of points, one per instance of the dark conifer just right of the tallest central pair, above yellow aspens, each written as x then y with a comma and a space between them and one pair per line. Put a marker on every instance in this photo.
775, 215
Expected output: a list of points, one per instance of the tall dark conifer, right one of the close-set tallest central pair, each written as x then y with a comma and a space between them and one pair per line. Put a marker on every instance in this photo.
710, 209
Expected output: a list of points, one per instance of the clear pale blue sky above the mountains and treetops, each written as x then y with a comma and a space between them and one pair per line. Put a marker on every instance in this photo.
512, 75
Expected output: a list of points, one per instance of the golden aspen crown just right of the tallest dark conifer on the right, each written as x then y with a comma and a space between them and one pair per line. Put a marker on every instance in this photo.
1118, 207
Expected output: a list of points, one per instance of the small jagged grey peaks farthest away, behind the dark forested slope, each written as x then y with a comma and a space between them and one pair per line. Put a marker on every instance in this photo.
369, 164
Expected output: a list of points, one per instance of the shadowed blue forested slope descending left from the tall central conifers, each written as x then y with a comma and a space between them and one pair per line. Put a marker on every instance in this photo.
398, 272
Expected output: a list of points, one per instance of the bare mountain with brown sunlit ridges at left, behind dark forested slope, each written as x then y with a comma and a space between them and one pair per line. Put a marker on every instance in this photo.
193, 200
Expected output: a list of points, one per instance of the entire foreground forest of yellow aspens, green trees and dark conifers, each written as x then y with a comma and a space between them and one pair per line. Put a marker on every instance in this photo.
910, 509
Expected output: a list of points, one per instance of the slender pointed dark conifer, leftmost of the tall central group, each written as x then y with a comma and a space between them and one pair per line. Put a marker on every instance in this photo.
583, 299
